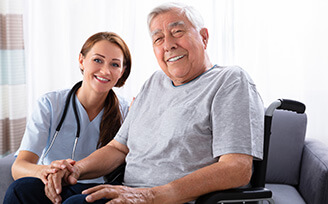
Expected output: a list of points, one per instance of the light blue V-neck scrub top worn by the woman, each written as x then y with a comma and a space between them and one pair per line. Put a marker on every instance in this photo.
42, 124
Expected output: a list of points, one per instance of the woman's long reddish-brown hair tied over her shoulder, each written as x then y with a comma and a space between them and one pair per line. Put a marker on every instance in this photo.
112, 118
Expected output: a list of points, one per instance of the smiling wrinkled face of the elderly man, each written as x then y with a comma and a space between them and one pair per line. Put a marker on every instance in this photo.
178, 46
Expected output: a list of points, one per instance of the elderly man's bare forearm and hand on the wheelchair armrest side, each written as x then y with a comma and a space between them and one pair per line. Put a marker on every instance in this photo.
232, 170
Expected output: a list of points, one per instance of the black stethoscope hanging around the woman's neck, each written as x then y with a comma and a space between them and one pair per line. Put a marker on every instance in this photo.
71, 94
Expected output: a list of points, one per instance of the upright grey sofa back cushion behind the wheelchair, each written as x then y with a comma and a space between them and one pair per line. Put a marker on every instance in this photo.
286, 146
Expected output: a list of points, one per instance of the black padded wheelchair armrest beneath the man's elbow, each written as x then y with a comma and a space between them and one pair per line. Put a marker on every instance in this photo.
235, 194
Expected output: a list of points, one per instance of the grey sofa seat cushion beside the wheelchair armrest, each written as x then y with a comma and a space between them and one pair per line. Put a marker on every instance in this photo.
282, 194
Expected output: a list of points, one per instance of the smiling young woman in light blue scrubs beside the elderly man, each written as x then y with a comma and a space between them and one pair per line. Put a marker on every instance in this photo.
105, 62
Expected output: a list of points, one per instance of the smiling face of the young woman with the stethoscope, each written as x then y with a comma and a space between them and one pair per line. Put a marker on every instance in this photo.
102, 66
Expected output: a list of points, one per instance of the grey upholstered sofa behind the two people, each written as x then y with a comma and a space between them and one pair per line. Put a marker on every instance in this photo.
297, 171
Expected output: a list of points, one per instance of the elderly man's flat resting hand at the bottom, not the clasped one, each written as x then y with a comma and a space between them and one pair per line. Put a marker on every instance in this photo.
120, 194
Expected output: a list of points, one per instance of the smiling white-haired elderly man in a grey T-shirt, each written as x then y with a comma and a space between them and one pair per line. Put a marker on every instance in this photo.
194, 128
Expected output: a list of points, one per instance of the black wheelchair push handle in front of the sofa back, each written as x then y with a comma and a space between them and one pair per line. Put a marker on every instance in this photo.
285, 104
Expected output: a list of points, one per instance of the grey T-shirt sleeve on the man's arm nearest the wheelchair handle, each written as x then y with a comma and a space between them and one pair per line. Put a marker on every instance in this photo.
237, 117
